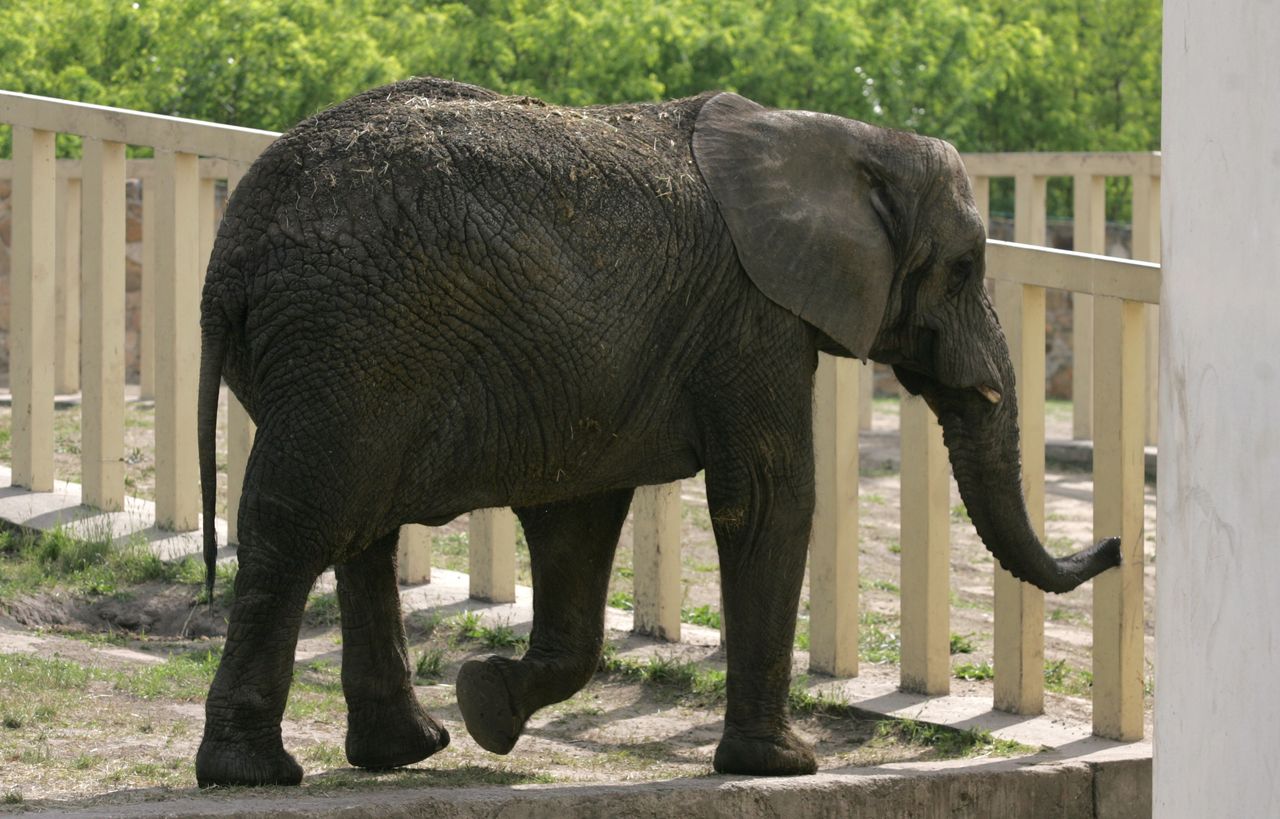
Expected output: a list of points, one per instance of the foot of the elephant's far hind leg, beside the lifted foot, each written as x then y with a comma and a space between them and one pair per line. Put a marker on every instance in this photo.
391, 735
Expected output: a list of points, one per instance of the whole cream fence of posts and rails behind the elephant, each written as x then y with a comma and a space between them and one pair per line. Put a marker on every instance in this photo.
68, 211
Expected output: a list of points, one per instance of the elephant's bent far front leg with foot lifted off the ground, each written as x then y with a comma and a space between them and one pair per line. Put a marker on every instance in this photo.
572, 550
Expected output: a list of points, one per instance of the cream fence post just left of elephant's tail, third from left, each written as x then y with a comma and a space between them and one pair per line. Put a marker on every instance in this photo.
177, 340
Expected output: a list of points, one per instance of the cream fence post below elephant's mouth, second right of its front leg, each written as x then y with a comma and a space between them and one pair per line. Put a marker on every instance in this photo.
926, 555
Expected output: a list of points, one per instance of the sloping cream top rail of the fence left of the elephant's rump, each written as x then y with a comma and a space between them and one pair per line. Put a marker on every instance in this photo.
115, 125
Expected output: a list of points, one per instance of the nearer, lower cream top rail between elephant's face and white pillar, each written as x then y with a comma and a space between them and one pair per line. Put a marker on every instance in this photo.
1068, 271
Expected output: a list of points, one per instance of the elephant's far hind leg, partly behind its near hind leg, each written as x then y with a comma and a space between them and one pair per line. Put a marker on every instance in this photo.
386, 725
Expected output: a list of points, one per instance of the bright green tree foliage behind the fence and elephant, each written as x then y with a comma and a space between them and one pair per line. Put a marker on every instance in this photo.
988, 75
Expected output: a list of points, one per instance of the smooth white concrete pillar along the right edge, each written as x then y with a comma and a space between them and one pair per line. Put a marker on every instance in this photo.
1218, 608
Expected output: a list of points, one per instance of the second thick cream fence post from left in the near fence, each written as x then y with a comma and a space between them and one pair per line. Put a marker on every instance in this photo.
103, 408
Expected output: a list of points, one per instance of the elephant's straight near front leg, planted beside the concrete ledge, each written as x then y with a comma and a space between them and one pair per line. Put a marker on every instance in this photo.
762, 516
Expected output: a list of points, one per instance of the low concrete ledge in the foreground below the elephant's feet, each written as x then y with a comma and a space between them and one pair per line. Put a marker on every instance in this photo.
972, 789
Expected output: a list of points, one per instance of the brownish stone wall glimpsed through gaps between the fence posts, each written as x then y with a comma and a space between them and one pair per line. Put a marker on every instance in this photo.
1058, 340
